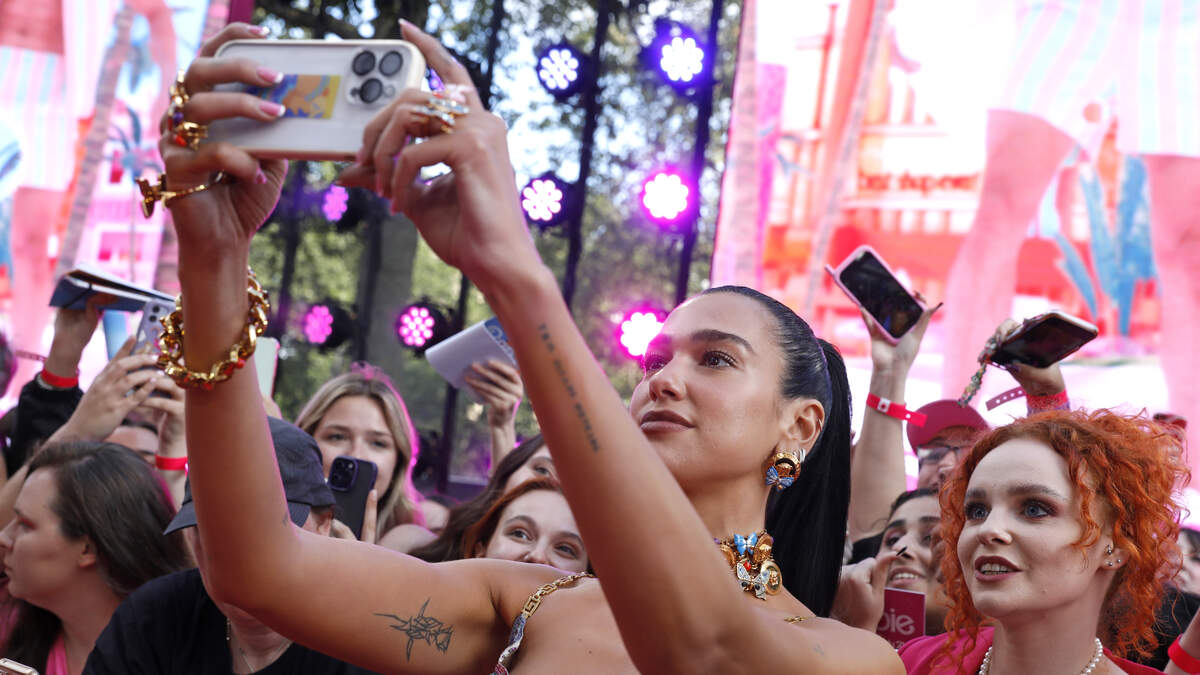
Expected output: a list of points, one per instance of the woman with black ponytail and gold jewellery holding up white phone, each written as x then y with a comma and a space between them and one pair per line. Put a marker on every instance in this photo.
739, 395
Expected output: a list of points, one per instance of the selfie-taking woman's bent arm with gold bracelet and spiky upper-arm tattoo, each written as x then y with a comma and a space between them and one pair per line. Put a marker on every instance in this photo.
376, 608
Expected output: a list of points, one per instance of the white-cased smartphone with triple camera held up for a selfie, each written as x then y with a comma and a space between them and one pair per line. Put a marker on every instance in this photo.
331, 91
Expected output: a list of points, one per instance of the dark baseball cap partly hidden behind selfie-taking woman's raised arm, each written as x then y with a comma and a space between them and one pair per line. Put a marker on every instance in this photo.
301, 468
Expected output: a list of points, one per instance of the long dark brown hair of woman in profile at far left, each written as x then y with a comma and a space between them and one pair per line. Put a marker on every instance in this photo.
109, 494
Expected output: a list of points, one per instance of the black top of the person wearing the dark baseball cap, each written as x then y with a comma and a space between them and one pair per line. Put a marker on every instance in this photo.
171, 626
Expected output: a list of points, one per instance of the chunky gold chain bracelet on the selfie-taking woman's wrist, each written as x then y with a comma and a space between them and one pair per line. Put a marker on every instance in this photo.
171, 343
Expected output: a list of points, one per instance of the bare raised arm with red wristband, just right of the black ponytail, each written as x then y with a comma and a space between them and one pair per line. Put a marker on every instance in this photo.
877, 469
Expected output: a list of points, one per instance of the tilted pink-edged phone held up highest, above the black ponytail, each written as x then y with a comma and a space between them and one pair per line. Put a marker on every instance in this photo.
874, 288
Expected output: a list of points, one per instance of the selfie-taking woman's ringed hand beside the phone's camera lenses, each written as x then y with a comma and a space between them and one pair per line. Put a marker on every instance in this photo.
471, 217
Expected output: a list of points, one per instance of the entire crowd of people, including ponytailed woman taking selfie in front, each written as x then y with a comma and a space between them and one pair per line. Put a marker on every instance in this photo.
1052, 545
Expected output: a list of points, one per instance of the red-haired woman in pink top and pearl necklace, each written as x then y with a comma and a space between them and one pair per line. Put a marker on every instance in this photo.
1065, 527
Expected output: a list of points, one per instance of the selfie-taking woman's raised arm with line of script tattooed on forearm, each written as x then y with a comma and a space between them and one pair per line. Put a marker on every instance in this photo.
651, 549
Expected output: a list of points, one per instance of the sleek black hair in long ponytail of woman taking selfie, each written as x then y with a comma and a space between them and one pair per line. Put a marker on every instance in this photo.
808, 521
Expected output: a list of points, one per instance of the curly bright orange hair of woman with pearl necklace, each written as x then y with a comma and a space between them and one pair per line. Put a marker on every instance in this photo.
1132, 465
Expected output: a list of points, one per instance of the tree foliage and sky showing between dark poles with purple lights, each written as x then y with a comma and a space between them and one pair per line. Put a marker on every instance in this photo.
626, 261
